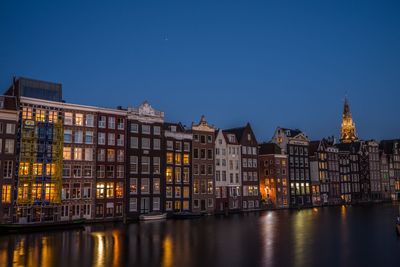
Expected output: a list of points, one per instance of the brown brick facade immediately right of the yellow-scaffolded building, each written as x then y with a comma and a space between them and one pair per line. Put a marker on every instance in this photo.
79, 162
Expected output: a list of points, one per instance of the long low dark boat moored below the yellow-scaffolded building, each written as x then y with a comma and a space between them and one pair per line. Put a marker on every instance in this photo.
40, 227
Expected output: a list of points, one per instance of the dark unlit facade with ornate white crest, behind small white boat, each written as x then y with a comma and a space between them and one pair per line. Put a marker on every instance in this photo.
145, 185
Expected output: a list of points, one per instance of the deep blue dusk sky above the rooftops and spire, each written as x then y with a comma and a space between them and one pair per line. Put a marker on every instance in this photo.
272, 63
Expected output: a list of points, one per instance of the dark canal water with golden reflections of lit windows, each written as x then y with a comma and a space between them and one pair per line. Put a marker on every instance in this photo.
334, 236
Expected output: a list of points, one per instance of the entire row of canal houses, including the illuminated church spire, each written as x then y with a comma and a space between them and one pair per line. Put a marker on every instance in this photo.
63, 161
